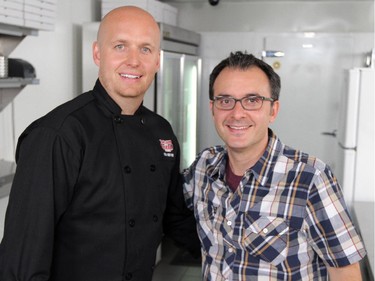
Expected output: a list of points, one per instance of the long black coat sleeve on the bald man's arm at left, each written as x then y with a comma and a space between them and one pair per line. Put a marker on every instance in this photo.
43, 183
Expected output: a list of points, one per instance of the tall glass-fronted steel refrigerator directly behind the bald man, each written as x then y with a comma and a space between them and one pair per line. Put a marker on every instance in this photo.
174, 92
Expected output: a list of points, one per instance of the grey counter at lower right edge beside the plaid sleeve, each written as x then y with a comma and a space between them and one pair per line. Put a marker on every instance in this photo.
363, 216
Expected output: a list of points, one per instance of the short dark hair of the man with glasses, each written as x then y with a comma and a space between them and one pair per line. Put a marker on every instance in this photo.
243, 61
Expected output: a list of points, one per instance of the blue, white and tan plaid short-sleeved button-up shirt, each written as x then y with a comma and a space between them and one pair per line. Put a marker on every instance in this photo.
286, 220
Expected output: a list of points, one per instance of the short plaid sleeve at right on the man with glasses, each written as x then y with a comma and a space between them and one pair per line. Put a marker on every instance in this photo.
330, 229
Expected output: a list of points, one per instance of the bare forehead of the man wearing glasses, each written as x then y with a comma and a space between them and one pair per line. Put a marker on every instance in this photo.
239, 82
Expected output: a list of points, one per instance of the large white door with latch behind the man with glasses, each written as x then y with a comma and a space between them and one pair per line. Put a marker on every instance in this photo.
312, 80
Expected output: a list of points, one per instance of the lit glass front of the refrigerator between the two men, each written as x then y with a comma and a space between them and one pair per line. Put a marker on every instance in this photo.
177, 100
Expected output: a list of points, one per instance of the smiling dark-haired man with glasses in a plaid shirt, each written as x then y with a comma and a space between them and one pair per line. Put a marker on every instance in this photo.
265, 211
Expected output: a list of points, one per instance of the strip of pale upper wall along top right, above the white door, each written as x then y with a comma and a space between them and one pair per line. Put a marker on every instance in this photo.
277, 16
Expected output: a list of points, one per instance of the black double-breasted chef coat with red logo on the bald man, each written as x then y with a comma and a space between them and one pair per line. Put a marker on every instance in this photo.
89, 194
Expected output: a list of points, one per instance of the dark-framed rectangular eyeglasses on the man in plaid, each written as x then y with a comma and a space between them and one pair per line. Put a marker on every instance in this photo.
250, 102
